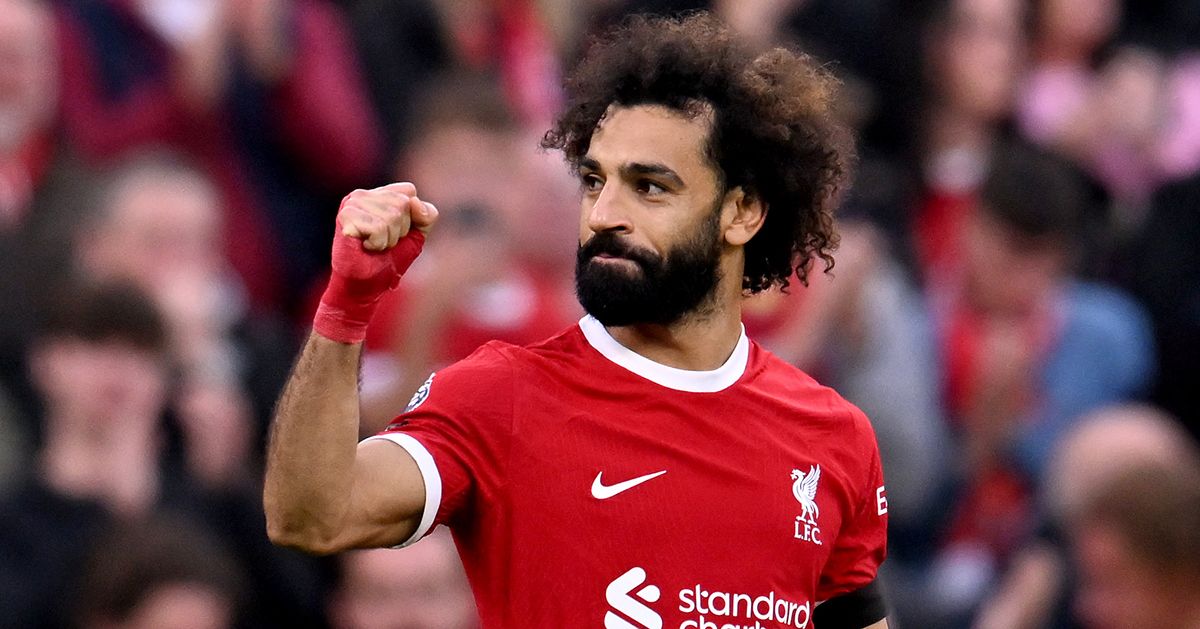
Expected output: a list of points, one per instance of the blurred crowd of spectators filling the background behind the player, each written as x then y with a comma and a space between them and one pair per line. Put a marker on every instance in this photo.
1016, 302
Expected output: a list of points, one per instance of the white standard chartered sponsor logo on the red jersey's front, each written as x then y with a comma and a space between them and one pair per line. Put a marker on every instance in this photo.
705, 609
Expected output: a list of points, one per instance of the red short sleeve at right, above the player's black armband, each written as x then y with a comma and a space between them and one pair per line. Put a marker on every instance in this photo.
862, 543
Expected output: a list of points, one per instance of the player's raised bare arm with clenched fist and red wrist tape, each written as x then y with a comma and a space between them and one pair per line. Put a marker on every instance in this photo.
323, 492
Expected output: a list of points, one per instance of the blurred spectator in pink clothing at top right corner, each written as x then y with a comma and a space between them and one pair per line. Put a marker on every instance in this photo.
1127, 113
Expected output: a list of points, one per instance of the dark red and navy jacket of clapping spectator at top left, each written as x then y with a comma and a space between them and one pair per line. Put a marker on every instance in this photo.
121, 93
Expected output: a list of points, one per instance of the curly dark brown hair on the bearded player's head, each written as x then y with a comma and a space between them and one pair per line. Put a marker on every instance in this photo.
773, 133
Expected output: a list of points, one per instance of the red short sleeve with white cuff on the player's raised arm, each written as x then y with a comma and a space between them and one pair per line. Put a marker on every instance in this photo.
458, 428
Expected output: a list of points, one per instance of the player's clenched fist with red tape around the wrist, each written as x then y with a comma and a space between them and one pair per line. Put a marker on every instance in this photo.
380, 235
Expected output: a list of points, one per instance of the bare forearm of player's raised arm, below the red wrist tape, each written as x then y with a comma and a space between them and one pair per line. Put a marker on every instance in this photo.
310, 469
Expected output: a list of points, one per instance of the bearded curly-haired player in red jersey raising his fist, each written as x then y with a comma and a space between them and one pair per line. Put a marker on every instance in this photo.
650, 468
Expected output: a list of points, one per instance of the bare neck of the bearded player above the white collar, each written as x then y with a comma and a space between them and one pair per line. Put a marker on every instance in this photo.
703, 342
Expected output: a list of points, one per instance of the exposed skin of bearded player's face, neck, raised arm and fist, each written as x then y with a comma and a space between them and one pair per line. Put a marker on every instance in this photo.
645, 178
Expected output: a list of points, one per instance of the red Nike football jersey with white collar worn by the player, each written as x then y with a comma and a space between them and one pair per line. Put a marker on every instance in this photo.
586, 484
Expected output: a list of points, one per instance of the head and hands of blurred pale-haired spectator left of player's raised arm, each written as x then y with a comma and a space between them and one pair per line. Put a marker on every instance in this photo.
158, 224
